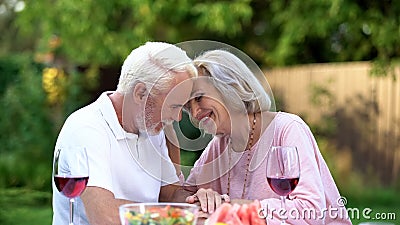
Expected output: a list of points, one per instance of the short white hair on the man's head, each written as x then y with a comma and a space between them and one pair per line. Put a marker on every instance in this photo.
154, 64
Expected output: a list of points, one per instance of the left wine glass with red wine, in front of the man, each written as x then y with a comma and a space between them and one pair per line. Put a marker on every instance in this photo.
71, 174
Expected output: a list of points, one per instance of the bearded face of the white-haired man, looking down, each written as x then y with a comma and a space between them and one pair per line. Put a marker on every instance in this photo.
164, 108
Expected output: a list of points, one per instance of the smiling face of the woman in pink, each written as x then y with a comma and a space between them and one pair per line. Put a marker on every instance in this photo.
207, 108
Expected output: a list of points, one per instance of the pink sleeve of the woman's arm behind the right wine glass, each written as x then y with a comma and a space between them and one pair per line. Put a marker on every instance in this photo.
308, 196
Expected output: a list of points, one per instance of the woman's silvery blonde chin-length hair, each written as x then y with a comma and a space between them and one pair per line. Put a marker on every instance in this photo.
233, 79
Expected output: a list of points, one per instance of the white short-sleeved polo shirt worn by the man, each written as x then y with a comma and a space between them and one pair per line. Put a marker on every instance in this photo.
132, 167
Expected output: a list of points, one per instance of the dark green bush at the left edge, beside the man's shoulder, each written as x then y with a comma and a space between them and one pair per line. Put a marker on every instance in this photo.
27, 132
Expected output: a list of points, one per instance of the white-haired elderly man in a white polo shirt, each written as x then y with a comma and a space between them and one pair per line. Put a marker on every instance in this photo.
122, 132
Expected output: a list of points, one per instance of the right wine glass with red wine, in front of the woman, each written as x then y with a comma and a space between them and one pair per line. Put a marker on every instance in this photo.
283, 171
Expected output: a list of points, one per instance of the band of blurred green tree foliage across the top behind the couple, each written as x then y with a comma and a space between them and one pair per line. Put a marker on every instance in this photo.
274, 33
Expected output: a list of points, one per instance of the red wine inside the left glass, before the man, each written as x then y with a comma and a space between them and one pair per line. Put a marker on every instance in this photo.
71, 186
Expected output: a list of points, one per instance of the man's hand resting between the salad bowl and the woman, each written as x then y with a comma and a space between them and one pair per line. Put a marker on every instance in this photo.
208, 199
